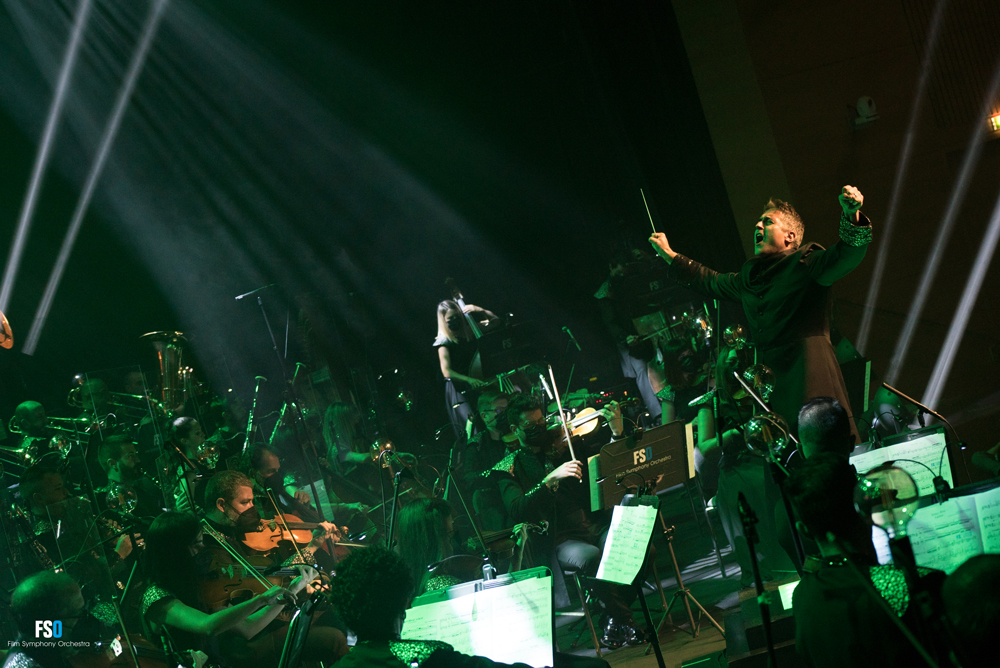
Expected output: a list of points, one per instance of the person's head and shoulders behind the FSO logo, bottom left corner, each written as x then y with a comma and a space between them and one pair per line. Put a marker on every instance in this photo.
45, 597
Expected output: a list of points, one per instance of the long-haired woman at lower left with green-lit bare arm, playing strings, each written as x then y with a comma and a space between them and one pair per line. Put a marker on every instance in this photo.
174, 612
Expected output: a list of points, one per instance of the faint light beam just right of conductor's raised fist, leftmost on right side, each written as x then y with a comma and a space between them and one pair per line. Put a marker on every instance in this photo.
885, 232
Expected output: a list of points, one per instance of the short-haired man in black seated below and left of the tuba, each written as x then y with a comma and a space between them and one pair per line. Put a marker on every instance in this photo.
120, 460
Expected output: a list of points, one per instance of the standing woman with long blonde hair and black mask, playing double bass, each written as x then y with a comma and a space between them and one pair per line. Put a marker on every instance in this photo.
458, 355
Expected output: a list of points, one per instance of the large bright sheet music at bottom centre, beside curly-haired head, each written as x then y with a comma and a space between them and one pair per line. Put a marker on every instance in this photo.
509, 624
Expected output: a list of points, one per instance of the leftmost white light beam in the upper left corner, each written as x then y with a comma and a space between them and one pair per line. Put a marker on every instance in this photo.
23, 228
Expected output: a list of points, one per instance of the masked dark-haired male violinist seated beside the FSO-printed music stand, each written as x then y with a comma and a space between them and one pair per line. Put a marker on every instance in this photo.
533, 488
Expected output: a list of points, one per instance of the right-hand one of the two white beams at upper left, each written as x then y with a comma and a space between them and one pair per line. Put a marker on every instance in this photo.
97, 167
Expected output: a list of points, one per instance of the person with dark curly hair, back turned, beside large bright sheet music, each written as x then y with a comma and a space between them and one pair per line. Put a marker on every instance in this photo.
376, 615
